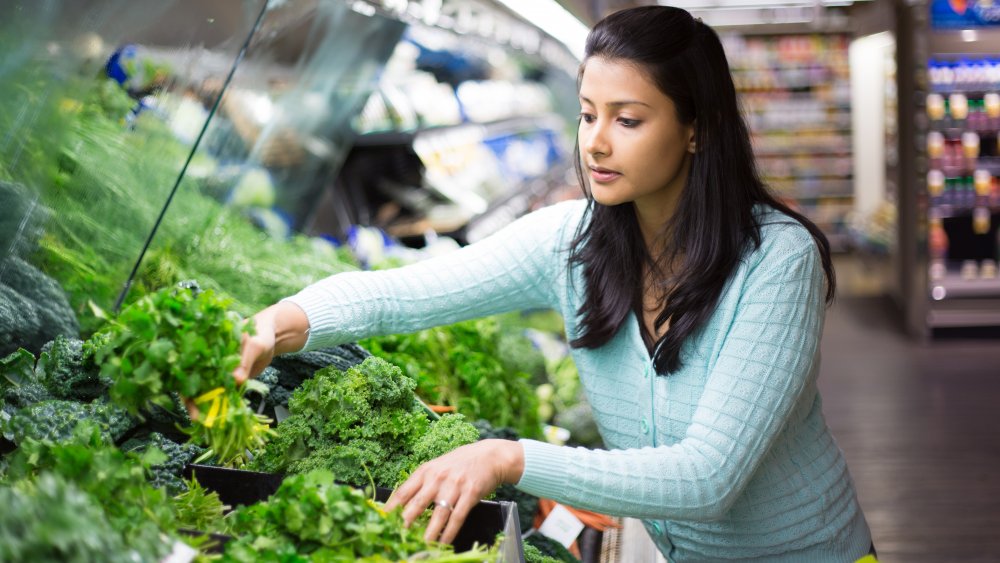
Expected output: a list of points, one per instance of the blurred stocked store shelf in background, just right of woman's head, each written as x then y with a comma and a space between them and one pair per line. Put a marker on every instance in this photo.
795, 90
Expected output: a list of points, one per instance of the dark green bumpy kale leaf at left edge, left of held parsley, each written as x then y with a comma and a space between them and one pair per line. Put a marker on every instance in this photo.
55, 420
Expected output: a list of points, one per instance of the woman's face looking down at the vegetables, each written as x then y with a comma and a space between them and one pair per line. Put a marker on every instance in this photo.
632, 145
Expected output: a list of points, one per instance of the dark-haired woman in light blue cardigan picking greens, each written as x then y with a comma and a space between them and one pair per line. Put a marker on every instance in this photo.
695, 304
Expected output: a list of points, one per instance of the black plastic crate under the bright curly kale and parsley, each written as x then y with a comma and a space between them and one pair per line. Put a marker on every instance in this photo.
237, 487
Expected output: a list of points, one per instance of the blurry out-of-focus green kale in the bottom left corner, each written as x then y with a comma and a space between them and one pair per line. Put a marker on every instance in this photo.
51, 519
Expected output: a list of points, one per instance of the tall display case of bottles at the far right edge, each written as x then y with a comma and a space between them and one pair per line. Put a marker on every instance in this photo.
949, 209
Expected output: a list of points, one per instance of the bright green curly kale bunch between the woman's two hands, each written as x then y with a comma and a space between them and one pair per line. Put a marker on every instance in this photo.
363, 424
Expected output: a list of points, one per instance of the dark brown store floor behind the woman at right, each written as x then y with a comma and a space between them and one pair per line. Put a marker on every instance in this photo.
919, 424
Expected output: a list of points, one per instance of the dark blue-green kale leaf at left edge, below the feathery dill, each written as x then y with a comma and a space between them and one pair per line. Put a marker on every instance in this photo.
50, 305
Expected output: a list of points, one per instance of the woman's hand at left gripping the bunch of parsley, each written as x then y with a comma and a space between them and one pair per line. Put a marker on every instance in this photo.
279, 329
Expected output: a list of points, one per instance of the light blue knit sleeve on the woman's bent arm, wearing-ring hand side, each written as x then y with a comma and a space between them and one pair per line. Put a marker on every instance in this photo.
765, 363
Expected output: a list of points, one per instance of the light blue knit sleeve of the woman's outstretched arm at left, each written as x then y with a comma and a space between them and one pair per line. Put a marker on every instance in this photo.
509, 270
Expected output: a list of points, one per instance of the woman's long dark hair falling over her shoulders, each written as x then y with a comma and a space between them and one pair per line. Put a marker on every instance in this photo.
714, 224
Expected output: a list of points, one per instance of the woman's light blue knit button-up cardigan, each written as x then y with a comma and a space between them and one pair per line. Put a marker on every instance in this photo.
728, 458
